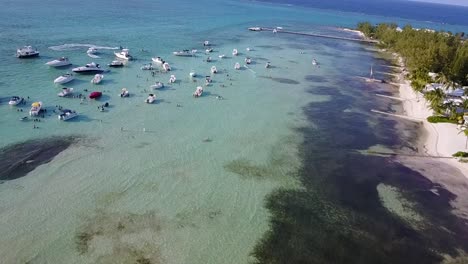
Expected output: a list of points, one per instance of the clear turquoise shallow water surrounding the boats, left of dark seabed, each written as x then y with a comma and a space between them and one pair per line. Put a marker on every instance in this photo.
172, 184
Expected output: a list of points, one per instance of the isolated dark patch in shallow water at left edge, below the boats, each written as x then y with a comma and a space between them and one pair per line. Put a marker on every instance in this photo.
19, 159
